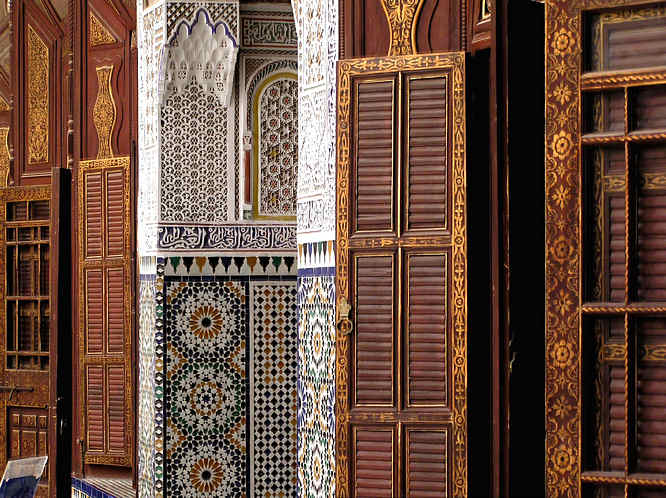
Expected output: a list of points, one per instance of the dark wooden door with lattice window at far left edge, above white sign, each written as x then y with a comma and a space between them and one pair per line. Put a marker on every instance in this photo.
26, 361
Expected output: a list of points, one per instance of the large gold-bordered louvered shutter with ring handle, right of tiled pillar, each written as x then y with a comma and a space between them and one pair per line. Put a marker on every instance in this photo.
402, 268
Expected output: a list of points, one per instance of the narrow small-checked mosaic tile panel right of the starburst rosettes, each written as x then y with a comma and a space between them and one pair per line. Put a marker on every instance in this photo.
274, 397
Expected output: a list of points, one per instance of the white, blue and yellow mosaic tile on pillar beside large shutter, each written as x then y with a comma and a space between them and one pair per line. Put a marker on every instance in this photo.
316, 389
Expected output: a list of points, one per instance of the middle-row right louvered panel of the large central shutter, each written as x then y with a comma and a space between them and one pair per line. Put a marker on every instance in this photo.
426, 329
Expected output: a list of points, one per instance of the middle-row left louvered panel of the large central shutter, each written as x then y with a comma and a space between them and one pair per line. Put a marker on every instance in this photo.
375, 335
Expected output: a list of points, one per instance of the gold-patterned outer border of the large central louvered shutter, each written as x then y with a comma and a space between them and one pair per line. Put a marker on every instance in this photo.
346, 70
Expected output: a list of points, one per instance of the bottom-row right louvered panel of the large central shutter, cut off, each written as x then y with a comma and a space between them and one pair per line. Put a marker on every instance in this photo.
427, 463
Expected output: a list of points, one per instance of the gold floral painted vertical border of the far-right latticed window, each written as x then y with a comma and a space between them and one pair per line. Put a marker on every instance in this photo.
563, 255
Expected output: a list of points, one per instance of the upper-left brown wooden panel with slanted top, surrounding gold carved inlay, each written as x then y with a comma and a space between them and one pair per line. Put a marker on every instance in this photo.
37, 87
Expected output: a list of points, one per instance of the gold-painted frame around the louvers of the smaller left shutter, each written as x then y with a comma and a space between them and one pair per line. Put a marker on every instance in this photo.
103, 262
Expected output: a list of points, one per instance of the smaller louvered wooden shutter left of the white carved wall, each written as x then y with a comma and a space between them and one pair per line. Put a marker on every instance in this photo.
105, 315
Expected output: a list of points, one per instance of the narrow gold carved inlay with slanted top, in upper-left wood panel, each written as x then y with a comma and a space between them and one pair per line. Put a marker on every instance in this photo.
38, 98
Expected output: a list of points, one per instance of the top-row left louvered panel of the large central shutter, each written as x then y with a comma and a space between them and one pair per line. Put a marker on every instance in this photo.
374, 155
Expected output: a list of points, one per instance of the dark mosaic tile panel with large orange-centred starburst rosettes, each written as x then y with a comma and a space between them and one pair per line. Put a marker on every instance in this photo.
206, 391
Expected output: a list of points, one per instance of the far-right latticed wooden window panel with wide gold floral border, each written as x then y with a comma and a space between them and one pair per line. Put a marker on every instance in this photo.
605, 248
